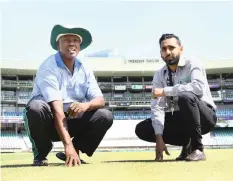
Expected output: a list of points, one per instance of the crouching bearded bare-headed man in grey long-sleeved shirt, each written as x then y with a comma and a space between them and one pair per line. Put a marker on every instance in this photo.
182, 108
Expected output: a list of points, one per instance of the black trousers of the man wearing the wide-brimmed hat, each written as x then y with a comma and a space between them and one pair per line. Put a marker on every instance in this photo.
87, 131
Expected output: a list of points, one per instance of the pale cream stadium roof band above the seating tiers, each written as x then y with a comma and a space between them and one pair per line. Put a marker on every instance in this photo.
117, 66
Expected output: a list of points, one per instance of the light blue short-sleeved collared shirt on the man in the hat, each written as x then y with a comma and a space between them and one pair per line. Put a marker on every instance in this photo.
55, 82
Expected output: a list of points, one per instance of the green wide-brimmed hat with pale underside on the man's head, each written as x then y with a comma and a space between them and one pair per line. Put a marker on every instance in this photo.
59, 31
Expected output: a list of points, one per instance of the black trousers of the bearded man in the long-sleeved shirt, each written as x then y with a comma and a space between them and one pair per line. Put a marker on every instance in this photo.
194, 119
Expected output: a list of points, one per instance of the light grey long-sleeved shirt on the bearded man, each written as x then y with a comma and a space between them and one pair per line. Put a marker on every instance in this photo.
190, 76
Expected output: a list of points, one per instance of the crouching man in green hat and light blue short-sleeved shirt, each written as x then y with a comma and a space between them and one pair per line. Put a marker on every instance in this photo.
66, 102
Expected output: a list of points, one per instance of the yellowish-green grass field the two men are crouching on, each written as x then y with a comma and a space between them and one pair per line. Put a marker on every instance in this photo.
121, 166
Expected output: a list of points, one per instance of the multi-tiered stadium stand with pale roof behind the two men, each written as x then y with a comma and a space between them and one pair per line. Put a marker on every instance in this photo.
126, 85
